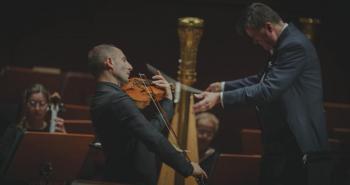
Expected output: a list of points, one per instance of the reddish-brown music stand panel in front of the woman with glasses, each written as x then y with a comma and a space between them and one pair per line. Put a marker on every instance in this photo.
63, 152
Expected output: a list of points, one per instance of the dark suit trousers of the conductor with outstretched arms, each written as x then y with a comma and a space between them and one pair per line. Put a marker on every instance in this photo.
291, 169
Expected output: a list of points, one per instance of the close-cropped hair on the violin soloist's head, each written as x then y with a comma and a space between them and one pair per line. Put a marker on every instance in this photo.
99, 54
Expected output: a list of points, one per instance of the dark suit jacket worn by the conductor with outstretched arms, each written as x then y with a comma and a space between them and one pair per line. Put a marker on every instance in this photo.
288, 94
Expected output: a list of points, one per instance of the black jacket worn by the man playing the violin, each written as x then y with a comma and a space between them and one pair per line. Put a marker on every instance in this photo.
129, 140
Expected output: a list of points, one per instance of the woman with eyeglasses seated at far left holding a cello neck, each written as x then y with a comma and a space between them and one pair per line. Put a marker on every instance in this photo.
34, 116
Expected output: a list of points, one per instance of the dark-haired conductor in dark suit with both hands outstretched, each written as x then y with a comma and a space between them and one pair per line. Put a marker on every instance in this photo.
288, 98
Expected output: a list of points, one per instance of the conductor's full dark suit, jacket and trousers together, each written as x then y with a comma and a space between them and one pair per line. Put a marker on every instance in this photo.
289, 98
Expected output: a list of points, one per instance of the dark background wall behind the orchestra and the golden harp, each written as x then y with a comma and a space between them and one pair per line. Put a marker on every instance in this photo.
59, 34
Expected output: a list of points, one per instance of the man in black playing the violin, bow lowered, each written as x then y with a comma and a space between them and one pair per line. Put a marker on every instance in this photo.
130, 142
